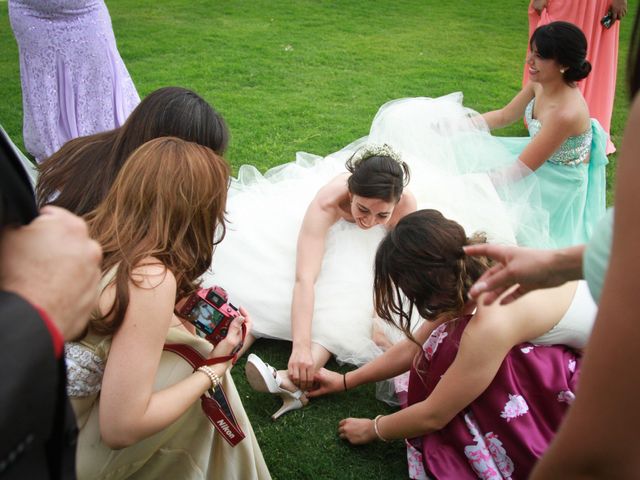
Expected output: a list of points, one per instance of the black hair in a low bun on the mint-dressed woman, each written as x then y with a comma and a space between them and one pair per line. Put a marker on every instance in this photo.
566, 44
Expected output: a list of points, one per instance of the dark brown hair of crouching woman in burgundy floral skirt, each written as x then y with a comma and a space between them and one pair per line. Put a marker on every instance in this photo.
422, 260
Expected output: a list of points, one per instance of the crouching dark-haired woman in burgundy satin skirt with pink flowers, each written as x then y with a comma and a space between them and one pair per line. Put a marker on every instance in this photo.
482, 394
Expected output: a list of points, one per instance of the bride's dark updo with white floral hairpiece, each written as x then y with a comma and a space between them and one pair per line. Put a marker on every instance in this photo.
377, 171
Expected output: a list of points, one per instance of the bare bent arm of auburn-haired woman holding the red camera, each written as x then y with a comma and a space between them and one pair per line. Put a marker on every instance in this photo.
130, 410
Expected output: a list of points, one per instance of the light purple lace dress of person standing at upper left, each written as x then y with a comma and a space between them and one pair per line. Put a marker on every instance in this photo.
74, 82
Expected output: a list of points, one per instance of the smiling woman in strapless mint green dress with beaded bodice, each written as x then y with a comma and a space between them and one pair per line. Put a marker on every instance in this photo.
566, 149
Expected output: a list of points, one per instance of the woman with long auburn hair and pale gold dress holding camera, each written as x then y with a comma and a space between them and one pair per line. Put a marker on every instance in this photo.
137, 406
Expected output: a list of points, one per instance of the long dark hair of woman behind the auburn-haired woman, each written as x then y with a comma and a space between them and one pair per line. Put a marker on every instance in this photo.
79, 175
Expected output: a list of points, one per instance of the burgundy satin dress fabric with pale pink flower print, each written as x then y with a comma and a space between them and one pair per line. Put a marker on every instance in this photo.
508, 427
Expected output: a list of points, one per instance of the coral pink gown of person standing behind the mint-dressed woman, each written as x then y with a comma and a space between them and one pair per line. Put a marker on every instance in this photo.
599, 88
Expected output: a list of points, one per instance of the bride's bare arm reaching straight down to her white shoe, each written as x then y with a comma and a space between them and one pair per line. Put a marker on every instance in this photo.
310, 252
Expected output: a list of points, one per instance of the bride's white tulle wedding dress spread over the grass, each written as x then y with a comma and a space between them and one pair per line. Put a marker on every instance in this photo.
442, 142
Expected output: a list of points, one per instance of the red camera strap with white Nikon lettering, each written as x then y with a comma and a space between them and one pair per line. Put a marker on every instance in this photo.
216, 407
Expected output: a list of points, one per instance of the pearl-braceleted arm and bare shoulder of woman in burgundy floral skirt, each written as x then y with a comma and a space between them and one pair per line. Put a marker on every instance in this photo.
472, 370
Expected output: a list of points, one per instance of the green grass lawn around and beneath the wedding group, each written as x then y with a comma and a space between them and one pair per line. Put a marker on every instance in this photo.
309, 75
